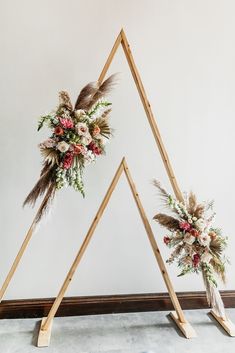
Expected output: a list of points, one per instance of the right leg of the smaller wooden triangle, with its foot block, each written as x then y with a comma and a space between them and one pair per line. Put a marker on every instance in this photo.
178, 316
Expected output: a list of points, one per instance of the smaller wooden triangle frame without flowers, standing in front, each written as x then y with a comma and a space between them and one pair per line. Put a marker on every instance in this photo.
178, 315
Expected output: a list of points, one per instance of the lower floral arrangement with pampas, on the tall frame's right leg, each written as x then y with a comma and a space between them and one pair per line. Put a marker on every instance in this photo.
197, 245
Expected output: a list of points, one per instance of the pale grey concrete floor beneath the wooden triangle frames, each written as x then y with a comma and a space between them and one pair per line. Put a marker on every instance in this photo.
151, 332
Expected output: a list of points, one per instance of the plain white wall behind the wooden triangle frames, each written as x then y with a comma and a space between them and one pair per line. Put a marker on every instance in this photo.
185, 53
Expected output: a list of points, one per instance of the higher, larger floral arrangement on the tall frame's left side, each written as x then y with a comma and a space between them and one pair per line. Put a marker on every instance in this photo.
78, 137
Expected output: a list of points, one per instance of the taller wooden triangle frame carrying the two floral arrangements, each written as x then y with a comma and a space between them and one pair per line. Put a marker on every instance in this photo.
122, 40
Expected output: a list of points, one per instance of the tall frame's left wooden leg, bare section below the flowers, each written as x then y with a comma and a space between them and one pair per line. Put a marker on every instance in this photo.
21, 252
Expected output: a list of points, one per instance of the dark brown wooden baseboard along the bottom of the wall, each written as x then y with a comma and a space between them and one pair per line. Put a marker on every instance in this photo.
92, 305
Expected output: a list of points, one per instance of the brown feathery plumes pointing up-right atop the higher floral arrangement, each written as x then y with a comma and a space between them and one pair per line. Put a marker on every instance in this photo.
92, 92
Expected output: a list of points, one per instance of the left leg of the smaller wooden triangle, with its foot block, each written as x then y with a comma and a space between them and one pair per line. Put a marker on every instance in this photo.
46, 324
